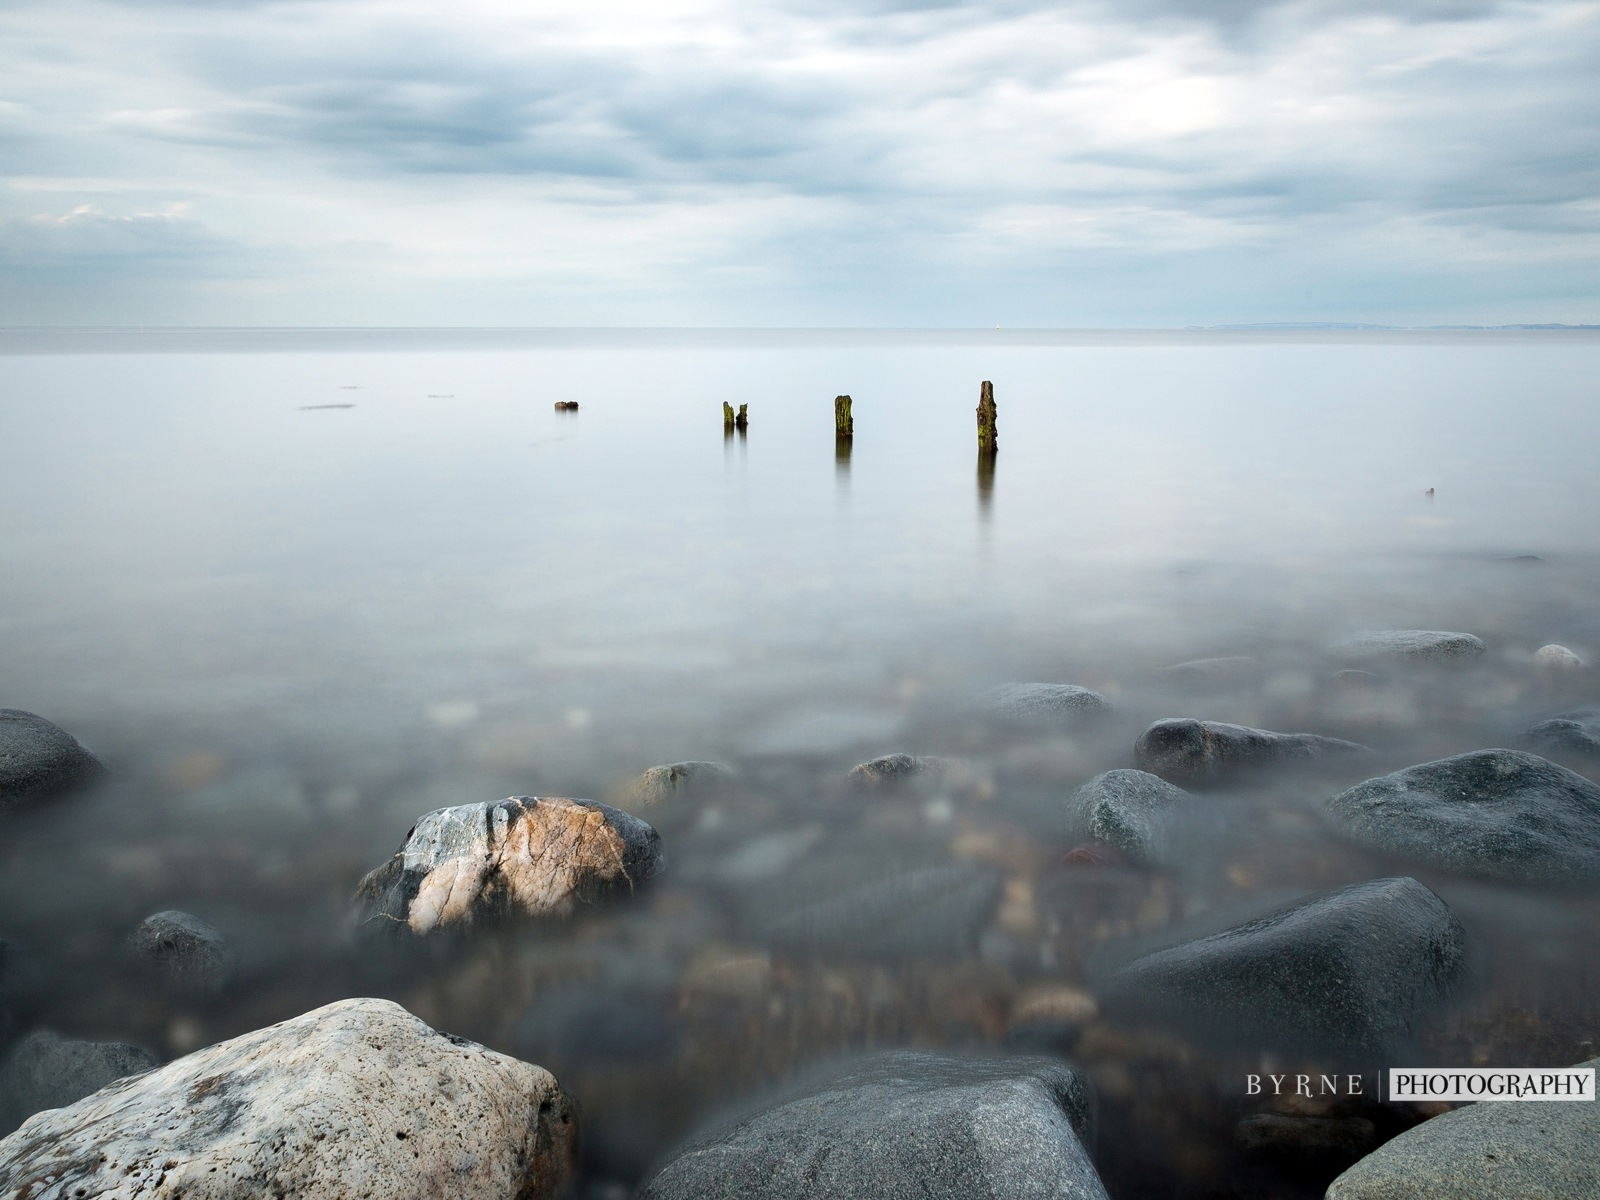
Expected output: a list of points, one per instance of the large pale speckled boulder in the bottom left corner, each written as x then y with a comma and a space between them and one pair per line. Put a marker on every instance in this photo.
358, 1098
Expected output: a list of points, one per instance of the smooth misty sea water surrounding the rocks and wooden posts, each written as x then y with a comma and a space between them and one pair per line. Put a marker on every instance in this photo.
300, 590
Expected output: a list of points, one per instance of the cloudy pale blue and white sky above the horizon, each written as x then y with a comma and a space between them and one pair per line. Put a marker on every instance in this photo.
881, 164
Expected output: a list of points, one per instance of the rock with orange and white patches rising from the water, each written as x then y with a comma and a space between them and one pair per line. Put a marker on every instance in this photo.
526, 857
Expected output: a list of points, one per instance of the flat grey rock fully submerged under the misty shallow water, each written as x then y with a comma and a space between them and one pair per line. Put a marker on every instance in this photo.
922, 913
